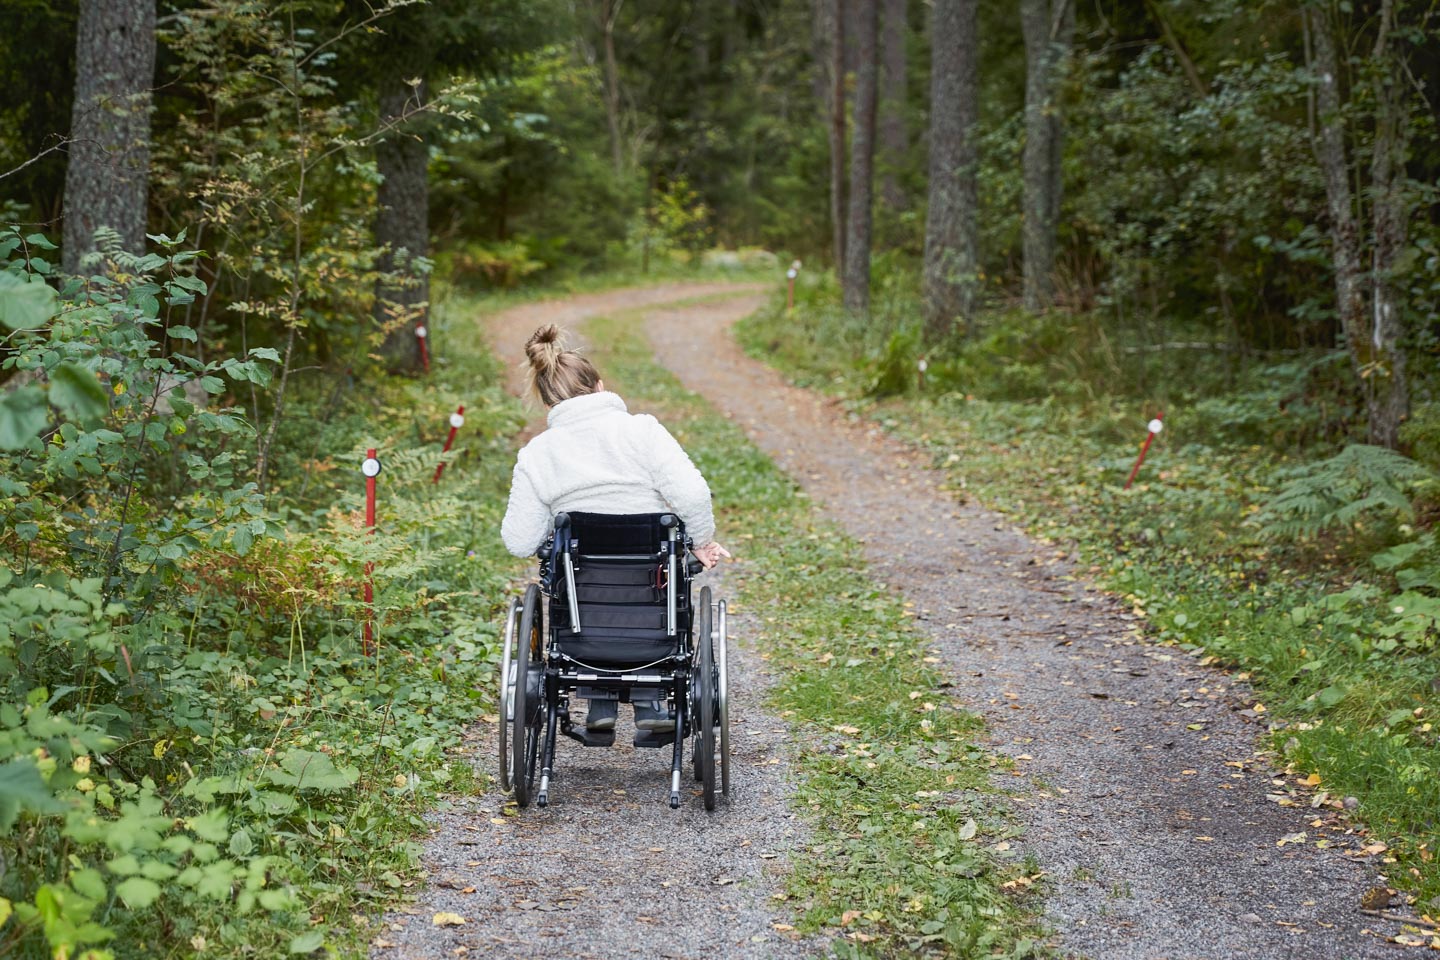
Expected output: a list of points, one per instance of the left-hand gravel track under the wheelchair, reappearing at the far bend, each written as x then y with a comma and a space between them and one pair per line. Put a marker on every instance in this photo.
608, 870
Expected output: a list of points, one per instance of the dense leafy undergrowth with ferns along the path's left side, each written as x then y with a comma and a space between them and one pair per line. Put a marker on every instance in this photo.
197, 753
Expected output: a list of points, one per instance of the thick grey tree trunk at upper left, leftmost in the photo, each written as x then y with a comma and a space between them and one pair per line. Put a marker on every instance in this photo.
109, 175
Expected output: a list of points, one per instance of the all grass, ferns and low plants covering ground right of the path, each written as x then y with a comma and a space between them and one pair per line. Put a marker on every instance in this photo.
1258, 536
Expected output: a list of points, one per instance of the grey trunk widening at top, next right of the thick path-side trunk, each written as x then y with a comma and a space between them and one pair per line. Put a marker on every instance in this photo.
1048, 27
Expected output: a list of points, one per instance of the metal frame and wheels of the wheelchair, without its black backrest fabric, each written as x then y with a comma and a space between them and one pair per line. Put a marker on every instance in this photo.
539, 677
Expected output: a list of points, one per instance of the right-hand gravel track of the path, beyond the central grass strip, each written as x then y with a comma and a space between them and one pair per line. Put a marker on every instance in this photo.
1144, 801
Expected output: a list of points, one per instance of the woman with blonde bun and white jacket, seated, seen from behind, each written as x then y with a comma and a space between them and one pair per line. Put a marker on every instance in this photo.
598, 458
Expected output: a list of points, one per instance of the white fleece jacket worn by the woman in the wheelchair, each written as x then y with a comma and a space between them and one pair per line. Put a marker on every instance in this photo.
598, 458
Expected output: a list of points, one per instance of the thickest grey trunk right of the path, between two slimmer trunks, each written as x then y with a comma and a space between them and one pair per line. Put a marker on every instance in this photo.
951, 230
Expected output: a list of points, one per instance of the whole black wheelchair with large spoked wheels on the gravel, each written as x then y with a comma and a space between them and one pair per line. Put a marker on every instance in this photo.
613, 618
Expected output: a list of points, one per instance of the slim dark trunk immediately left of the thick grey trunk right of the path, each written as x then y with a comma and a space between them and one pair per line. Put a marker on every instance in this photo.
863, 160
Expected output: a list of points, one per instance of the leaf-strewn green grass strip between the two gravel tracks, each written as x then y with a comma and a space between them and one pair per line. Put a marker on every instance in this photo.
904, 859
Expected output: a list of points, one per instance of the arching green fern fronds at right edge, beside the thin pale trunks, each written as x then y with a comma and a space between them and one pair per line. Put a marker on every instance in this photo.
1357, 483
